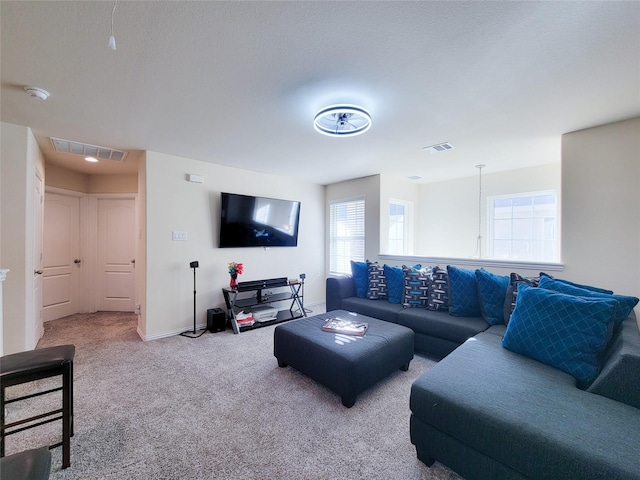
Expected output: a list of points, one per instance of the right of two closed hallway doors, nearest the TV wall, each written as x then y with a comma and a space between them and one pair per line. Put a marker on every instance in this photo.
116, 254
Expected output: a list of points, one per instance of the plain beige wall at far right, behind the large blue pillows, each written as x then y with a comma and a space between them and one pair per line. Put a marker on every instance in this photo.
601, 206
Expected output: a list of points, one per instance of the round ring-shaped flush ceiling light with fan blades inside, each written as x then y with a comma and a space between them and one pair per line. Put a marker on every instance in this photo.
342, 121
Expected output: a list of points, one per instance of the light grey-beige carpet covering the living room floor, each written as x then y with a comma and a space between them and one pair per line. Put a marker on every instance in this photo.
218, 407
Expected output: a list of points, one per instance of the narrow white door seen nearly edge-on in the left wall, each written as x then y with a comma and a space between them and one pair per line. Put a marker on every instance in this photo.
36, 324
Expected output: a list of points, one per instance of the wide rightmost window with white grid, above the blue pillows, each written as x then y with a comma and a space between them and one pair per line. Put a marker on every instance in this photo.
523, 226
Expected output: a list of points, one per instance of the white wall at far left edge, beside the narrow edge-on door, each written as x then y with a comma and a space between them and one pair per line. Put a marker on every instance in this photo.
21, 159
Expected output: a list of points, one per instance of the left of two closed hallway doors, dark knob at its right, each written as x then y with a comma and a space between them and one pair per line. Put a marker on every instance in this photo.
61, 256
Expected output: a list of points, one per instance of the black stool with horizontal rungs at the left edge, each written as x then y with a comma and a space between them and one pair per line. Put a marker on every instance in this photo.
23, 367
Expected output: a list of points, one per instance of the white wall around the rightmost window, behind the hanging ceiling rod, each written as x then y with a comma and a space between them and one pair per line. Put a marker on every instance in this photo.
448, 224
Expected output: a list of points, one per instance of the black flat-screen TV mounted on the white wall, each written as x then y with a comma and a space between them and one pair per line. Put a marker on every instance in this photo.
247, 221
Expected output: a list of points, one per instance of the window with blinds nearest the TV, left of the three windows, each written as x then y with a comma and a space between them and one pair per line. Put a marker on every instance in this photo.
346, 234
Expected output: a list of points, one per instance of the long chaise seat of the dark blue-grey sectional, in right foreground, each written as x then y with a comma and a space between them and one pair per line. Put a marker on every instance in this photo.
526, 415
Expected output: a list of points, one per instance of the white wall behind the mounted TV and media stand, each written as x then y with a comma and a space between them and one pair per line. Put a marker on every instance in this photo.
173, 203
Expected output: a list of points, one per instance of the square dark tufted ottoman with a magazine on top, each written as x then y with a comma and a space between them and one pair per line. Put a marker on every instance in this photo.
346, 364
